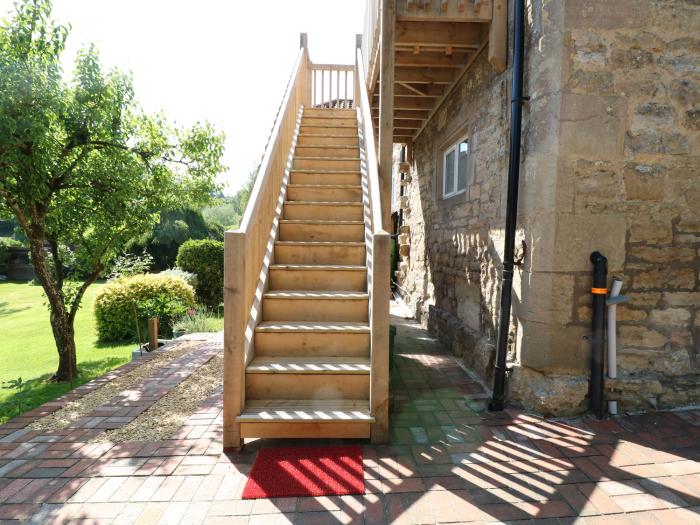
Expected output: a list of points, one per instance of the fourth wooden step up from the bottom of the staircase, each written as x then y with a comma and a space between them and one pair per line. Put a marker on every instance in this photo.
316, 306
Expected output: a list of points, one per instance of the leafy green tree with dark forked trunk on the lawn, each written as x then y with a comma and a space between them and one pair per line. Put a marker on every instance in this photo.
81, 165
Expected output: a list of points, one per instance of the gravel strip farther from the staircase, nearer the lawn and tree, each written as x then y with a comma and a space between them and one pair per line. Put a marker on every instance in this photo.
82, 407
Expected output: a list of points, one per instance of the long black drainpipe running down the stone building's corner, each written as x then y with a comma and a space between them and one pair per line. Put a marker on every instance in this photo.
499, 380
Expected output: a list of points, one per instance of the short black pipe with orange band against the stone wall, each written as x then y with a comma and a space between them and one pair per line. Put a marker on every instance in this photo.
597, 339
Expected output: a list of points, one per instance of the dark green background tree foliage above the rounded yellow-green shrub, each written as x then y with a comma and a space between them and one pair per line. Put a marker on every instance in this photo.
174, 228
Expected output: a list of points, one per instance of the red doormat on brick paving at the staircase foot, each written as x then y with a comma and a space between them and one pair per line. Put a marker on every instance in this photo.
306, 471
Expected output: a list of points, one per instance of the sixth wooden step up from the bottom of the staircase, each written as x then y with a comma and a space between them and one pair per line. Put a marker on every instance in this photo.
320, 252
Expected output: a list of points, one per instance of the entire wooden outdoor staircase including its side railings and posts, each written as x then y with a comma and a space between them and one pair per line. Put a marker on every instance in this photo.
306, 282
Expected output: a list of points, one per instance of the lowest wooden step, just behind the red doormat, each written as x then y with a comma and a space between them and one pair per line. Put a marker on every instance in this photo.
306, 418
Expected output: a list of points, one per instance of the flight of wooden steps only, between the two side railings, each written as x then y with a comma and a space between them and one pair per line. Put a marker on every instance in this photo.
310, 374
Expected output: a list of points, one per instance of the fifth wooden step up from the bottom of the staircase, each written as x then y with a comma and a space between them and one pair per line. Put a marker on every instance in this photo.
336, 277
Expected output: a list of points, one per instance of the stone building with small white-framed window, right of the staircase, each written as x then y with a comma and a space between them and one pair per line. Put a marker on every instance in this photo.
610, 162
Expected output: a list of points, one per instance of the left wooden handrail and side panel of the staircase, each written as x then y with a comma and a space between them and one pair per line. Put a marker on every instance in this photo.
248, 250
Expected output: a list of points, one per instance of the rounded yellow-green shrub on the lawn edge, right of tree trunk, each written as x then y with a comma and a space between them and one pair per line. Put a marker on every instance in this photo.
150, 294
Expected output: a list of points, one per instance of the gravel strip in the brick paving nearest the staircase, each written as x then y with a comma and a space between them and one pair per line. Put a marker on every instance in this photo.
167, 415
